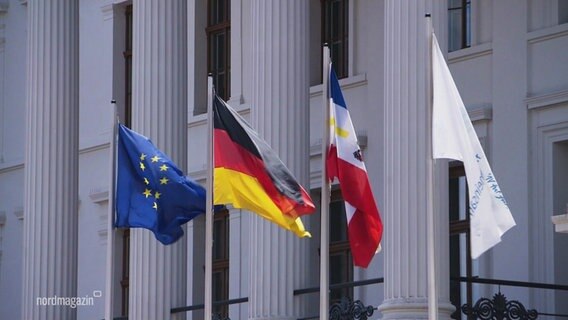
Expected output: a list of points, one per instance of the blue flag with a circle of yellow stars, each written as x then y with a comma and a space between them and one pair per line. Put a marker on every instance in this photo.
151, 191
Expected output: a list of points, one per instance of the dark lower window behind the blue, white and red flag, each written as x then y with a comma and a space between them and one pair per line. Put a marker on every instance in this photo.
340, 260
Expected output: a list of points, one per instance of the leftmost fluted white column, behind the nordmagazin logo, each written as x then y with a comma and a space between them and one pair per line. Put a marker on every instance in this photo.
51, 161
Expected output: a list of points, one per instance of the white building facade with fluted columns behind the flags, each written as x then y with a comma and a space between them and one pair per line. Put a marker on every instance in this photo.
62, 62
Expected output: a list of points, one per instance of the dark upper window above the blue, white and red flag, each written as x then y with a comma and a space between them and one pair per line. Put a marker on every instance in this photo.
335, 32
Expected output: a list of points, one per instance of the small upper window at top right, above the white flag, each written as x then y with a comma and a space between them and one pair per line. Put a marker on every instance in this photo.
459, 26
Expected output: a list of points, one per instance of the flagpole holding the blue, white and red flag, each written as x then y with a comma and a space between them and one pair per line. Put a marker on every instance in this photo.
325, 194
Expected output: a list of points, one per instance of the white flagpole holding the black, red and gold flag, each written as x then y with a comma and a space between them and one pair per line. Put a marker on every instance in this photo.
209, 205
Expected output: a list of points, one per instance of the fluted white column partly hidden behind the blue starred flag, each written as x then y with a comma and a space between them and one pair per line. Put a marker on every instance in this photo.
159, 111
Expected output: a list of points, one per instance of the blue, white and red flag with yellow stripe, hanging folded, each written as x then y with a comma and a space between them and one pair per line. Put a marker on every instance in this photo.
345, 161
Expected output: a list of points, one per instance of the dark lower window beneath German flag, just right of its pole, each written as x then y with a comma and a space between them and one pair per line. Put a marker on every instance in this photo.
221, 262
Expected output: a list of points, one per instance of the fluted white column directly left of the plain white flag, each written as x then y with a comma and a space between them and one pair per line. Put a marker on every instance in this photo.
405, 135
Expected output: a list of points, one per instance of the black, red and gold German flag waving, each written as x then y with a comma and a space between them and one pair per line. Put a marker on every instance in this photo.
249, 175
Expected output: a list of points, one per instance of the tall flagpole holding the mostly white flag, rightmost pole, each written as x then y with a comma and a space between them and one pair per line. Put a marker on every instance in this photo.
432, 284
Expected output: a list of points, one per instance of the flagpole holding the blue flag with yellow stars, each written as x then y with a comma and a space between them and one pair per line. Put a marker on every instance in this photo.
110, 267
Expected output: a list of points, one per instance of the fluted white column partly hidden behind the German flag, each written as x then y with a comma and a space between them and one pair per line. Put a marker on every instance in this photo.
280, 114
